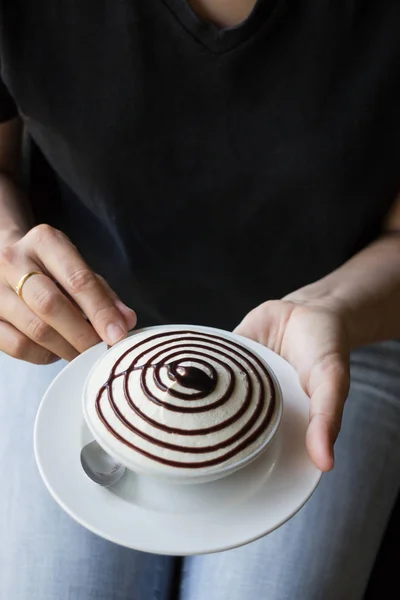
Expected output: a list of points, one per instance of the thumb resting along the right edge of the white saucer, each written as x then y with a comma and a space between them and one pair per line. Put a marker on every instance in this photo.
328, 387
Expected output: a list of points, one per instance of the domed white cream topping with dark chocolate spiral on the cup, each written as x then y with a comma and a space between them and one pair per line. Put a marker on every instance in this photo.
180, 399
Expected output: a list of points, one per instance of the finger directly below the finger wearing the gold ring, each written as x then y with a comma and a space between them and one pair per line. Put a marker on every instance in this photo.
16, 312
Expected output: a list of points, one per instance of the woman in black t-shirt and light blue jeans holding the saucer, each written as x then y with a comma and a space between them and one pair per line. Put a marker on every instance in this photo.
206, 157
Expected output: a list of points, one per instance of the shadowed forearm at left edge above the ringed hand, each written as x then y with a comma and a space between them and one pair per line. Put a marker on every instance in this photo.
15, 218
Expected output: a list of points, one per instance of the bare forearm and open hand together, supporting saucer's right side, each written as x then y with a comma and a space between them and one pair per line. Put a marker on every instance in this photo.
315, 327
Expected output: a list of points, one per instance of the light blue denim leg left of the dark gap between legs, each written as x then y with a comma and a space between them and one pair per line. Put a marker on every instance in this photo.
43, 552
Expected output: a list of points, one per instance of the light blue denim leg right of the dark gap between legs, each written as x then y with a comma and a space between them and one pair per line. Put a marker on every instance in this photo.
327, 550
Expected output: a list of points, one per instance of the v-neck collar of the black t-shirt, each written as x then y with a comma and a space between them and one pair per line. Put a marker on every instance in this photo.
219, 40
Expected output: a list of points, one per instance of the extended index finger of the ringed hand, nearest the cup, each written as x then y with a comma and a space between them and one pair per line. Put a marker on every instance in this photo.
58, 255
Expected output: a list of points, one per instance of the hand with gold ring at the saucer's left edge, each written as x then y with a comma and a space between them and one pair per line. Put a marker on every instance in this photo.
48, 323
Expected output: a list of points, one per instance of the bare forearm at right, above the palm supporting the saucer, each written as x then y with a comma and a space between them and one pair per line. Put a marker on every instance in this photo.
365, 290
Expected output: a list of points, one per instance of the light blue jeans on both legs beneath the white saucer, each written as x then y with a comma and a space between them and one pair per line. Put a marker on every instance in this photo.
324, 553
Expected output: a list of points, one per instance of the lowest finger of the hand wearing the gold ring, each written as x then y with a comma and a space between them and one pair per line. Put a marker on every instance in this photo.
16, 344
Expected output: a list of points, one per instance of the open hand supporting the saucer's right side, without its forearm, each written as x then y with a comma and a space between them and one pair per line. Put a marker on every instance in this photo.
313, 339
